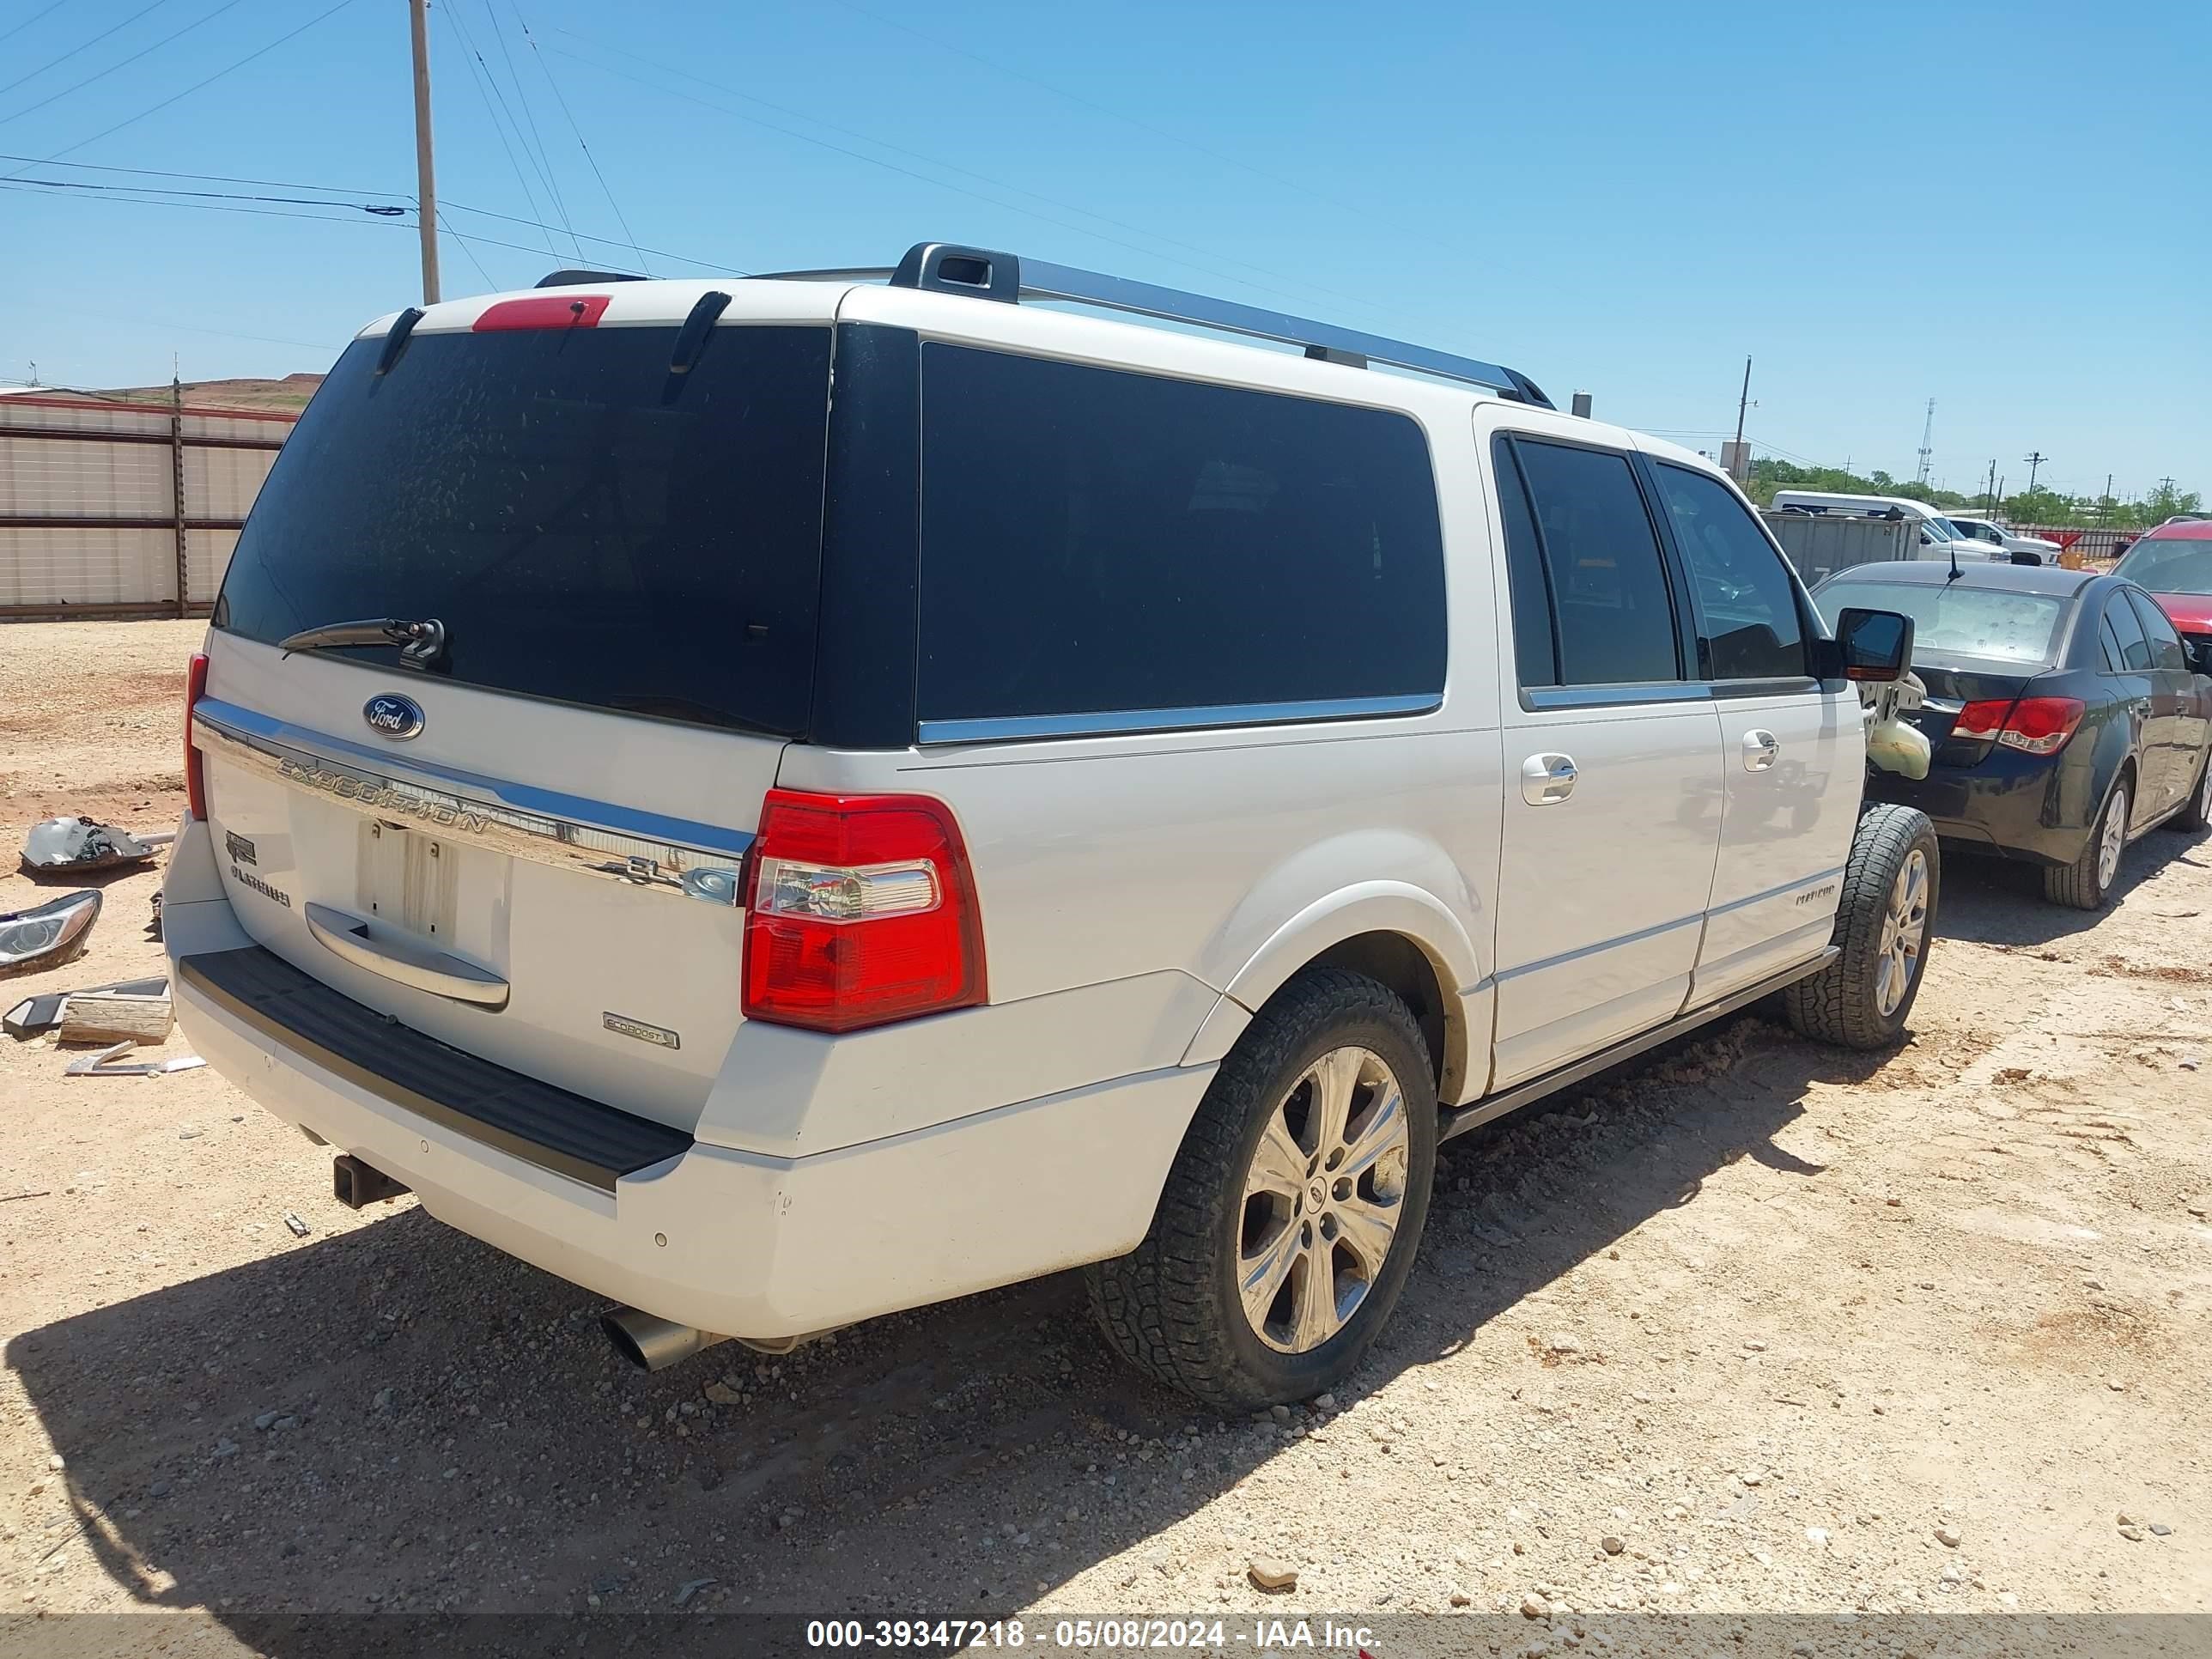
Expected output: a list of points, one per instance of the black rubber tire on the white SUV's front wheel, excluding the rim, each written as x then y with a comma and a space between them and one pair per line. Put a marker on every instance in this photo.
1844, 1003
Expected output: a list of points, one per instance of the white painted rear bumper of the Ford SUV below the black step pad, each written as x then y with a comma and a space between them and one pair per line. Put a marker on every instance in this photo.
740, 1244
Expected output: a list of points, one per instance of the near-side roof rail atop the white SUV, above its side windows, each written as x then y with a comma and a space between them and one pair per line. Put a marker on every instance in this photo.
983, 273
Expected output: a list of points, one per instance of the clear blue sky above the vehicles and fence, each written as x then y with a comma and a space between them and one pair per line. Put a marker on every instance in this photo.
1996, 207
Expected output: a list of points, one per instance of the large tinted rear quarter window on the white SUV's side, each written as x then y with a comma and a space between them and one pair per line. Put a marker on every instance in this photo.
1098, 541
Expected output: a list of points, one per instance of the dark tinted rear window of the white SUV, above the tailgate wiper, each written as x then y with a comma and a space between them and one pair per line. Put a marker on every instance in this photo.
587, 525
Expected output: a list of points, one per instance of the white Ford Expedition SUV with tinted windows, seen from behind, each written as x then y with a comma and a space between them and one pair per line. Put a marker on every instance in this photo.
804, 797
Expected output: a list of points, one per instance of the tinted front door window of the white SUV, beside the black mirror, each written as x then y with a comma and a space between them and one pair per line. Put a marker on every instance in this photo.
1744, 594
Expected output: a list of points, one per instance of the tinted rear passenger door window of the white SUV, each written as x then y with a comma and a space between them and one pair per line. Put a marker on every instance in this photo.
1607, 581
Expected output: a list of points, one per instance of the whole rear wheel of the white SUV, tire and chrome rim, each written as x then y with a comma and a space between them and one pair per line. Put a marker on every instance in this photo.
1295, 1207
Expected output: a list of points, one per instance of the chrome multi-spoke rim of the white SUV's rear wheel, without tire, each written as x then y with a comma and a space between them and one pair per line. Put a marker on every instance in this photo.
1322, 1200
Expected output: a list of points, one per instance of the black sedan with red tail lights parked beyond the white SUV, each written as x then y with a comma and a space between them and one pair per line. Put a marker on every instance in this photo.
2063, 709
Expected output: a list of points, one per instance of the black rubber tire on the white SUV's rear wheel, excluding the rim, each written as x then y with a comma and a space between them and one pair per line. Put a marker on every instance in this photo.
1173, 1304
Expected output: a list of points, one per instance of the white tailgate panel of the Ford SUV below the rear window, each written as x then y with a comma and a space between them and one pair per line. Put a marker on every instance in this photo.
490, 886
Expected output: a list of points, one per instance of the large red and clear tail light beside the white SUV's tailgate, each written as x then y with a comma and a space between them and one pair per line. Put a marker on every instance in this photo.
862, 912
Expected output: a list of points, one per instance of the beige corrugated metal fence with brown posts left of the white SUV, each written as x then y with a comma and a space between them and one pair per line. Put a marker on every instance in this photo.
123, 510
